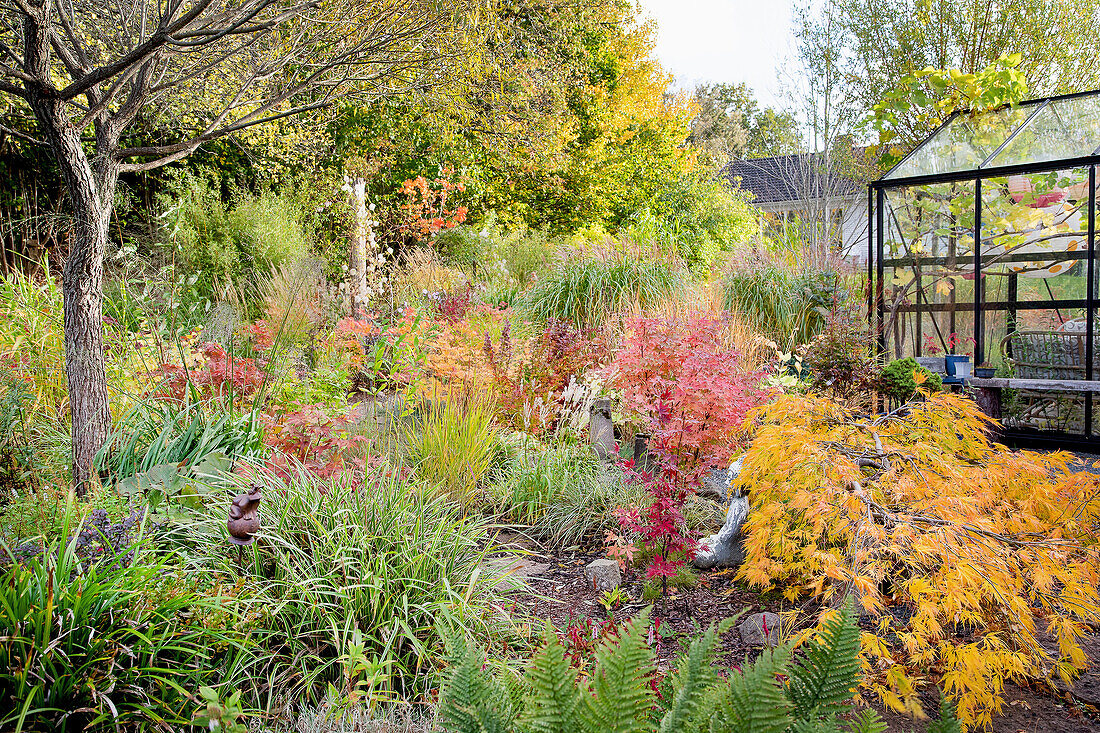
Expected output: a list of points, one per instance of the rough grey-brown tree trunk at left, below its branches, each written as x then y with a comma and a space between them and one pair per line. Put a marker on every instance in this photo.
92, 193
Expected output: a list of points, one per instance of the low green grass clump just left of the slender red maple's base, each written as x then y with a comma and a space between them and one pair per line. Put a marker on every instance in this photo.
563, 494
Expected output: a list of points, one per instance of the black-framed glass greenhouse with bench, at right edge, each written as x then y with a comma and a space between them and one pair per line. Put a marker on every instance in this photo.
983, 262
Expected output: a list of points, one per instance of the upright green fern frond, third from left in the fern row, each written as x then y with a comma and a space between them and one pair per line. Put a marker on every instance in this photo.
620, 697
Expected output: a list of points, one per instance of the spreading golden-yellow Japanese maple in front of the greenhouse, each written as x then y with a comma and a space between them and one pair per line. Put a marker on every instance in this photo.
973, 564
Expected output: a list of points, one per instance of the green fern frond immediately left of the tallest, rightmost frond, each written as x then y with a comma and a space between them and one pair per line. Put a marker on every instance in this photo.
755, 702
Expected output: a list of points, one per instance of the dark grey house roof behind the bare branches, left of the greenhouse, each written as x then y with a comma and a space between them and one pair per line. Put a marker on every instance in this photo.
786, 179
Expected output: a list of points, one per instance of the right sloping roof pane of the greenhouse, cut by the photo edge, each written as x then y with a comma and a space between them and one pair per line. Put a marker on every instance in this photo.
1066, 128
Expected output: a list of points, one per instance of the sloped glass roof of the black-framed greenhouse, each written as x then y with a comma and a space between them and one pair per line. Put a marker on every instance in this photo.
1038, 135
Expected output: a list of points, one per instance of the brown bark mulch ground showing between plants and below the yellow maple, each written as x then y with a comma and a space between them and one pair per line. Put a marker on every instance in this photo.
558, 592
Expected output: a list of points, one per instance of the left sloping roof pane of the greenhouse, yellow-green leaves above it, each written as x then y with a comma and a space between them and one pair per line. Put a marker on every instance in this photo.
964, 144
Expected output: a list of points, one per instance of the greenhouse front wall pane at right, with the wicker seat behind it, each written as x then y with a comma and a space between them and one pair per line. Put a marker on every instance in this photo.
1035, 257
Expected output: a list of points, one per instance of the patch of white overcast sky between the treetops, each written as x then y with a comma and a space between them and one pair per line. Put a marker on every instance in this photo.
724, 41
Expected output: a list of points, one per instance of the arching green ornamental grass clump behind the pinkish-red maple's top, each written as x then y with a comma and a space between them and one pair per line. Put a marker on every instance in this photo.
586, 293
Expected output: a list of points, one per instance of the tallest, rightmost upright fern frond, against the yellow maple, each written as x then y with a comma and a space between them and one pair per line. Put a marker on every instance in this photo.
822, 684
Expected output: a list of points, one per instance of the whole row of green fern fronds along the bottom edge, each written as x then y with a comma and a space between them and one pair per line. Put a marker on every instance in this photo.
773, 695
